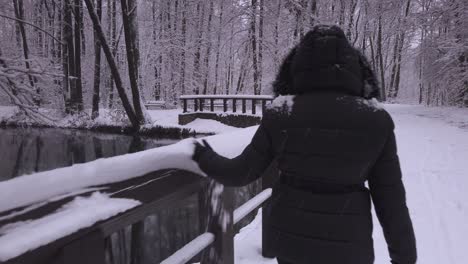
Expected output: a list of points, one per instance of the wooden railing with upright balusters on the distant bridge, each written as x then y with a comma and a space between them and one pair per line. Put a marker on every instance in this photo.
199, 102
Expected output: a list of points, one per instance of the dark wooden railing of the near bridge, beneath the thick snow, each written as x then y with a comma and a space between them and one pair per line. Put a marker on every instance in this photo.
155, 191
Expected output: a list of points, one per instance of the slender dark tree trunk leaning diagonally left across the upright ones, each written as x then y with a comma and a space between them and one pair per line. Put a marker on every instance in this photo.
112, 65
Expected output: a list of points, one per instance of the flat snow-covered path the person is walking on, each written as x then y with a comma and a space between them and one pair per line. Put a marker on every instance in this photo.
434, 159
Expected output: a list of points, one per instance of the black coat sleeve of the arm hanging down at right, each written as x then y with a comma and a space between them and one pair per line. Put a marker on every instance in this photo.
389, 198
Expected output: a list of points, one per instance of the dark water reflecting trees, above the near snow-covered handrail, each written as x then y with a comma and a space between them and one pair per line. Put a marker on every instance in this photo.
28, 150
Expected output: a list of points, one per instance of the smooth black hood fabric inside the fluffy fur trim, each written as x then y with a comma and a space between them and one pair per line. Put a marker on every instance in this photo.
325, 60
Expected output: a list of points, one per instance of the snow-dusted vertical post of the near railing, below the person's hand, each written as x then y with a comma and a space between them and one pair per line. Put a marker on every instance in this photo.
220, 204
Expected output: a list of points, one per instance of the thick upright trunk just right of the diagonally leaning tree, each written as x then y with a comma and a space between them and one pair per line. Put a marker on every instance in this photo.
130, 22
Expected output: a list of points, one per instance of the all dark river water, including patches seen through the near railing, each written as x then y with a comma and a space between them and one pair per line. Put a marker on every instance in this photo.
27, 150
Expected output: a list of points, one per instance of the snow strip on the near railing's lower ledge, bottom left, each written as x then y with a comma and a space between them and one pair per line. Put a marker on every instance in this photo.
20, 237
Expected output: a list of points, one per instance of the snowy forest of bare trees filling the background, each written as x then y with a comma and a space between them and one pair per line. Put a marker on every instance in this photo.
80, 56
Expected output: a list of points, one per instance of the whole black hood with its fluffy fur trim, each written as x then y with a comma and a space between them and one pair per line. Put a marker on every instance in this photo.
325, 60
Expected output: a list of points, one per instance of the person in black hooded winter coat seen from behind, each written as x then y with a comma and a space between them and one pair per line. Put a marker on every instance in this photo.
328, 143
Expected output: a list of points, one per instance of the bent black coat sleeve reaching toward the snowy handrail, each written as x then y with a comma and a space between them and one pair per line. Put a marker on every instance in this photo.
243, 169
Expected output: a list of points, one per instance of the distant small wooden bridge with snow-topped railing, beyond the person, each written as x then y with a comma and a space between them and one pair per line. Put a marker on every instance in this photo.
224, 108
